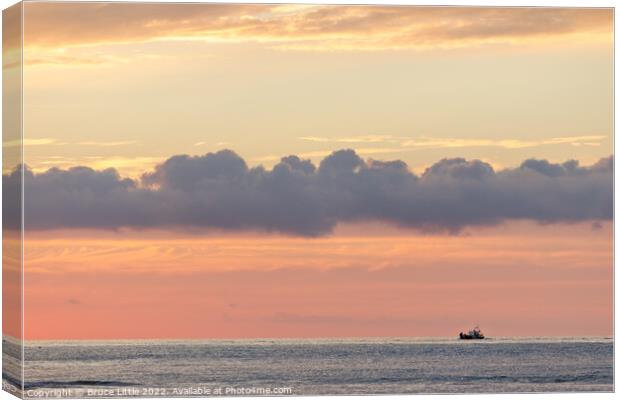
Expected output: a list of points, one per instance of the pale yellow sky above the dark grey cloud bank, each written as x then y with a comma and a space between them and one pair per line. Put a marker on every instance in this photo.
128, 85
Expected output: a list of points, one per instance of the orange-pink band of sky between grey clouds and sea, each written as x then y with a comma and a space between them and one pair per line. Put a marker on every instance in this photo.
366, 280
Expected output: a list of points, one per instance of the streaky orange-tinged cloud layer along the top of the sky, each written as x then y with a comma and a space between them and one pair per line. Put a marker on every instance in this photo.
303, 27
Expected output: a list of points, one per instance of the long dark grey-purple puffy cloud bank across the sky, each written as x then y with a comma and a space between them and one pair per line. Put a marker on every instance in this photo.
220, 191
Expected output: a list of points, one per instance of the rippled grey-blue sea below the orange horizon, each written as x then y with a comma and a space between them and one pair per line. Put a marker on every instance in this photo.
313, 367
